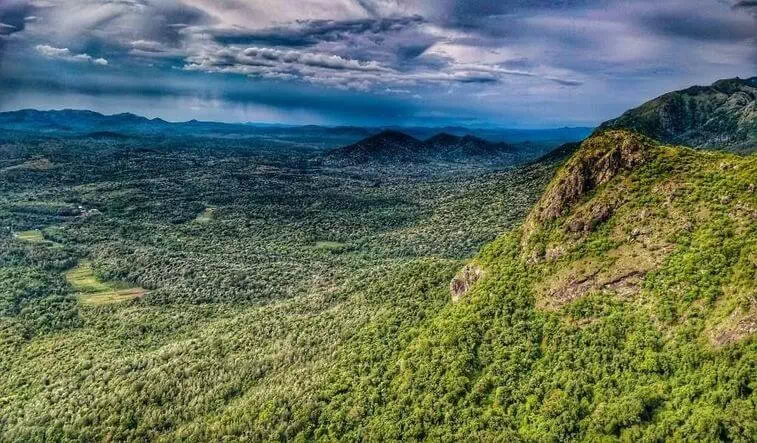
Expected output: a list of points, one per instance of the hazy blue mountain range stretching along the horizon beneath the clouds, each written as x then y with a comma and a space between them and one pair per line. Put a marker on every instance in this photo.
78, 123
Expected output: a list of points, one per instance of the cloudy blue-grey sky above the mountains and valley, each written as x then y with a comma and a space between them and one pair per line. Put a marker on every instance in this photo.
507, 63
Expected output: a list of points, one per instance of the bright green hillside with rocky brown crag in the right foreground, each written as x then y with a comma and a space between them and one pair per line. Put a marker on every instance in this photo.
639, 328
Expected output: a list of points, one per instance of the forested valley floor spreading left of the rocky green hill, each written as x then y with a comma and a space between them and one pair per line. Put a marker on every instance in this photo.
242, 315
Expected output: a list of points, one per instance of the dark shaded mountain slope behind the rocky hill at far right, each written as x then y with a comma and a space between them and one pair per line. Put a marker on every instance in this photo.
720, 116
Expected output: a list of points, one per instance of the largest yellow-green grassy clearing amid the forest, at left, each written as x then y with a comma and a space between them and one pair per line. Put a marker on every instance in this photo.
93, 292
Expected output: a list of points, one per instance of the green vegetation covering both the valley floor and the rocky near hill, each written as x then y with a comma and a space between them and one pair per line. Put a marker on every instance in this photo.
622, 310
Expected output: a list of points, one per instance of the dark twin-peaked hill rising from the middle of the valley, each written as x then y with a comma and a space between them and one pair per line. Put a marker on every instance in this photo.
394, 146
